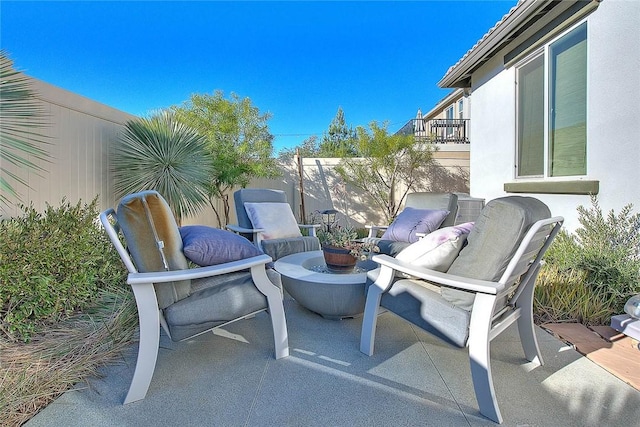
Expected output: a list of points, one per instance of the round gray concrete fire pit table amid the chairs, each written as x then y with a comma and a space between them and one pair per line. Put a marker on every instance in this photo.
332, 295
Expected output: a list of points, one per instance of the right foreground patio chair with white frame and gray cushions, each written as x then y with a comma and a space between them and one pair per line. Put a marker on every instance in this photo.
488, 287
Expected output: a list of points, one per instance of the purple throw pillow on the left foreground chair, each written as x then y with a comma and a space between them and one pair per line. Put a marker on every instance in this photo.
210, 246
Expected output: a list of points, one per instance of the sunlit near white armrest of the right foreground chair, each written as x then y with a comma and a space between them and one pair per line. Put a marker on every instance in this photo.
445, 279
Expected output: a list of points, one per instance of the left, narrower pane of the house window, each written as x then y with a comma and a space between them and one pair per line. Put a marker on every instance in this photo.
531, 118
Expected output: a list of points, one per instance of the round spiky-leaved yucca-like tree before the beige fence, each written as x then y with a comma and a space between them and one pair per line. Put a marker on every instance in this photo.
160, 153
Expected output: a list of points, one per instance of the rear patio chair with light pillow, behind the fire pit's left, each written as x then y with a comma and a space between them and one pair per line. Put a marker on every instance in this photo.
265, 217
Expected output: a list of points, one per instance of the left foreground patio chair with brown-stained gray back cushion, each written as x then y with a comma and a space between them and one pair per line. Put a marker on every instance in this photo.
185, 301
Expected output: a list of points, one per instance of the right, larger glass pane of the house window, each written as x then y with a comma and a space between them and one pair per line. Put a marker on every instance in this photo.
568, 102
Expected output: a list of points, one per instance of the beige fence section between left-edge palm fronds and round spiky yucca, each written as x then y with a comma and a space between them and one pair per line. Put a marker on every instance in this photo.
80, 132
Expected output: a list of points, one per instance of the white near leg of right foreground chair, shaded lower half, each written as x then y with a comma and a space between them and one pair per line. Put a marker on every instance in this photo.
479, 356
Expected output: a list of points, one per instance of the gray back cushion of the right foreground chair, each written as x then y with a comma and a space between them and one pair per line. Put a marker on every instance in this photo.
495, 237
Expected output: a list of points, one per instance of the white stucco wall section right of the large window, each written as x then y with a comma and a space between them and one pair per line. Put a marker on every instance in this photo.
614, 102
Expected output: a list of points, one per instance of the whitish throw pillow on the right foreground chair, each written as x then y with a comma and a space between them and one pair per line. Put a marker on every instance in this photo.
437, 250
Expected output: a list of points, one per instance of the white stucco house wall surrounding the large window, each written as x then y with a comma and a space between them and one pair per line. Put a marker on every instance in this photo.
613, 124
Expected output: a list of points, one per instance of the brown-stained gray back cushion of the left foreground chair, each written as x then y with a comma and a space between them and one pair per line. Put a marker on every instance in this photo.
137, 223
